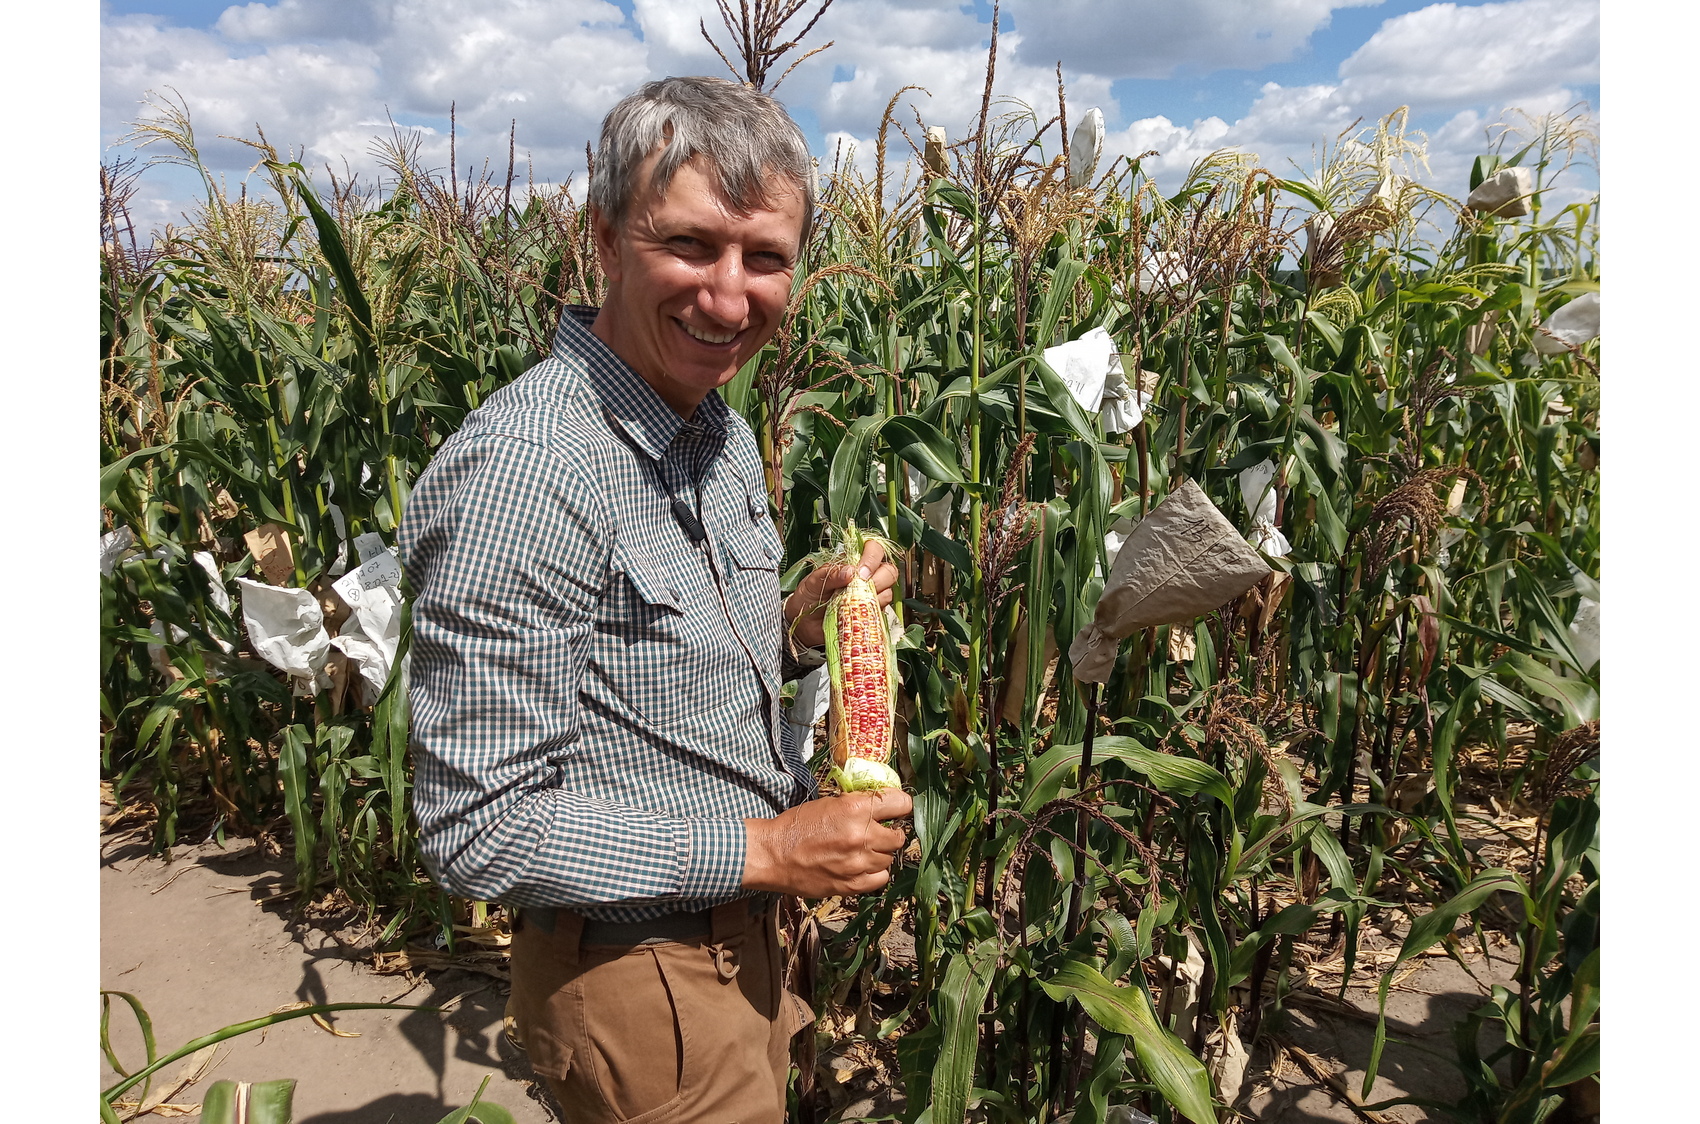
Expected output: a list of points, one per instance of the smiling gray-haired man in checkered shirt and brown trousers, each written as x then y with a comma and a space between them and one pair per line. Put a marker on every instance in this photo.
599, 644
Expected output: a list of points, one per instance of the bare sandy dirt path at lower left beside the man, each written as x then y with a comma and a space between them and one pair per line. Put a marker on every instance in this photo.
188, 940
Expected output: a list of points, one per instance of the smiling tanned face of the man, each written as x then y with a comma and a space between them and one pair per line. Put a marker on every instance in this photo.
694, 288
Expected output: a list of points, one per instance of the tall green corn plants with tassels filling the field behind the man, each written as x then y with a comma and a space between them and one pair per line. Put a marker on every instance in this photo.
1289, 761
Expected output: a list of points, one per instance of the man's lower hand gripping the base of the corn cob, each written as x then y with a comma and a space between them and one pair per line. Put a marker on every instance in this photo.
834, 846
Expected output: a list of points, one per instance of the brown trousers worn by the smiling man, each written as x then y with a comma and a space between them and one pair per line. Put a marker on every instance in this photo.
684, 1033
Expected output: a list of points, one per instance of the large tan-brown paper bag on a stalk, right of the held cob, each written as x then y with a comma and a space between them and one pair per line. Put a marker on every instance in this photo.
1181, 562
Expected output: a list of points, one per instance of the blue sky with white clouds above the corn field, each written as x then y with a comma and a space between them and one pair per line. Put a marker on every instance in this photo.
1272, 77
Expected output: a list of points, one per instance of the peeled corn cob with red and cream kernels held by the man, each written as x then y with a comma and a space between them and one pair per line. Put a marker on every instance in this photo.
863, 673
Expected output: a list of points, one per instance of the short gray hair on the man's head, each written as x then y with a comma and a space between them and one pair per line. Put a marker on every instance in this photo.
747, 137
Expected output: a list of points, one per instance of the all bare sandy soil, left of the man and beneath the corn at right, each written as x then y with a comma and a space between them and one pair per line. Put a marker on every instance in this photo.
205, 941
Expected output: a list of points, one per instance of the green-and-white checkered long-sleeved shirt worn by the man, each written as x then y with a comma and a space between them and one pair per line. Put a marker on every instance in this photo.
596, 700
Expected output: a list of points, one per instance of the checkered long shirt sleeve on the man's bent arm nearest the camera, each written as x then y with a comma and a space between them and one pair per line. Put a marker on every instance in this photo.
507, 552
